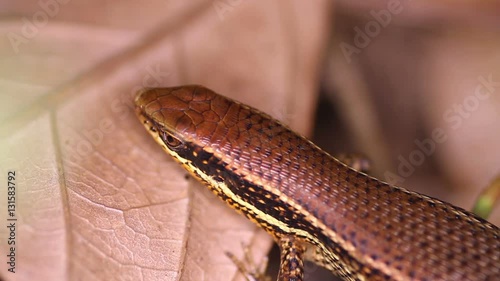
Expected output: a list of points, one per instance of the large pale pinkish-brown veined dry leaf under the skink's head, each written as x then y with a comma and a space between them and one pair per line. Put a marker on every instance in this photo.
96, 198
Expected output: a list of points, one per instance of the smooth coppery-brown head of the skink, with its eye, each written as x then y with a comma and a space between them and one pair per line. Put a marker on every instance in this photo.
185, 115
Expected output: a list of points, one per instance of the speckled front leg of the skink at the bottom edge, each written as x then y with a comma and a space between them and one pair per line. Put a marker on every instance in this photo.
291, 256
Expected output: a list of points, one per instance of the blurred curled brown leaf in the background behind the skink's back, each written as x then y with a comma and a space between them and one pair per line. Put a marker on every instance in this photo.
433, 66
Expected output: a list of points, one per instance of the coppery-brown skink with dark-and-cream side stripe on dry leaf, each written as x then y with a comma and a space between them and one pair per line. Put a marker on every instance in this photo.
314, 206
